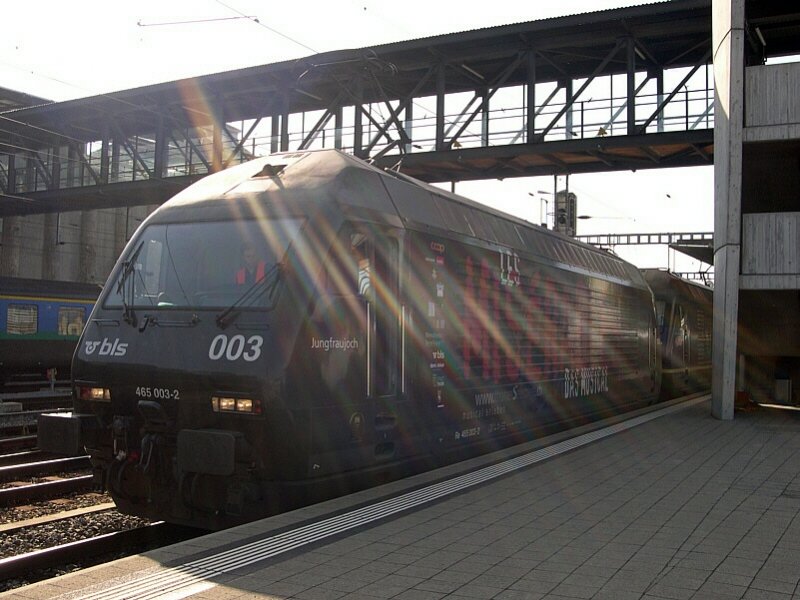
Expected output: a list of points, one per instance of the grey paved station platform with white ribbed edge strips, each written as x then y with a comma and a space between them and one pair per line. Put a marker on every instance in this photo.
670, 504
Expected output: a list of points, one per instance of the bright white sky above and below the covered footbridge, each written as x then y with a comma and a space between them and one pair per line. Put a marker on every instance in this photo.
64, 50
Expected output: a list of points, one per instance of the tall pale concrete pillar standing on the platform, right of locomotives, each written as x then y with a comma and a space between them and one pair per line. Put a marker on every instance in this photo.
728, 42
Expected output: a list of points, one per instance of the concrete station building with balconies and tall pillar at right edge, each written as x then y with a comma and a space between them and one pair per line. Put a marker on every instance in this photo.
757, 209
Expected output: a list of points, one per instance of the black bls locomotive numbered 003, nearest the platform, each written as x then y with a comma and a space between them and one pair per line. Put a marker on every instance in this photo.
389, 324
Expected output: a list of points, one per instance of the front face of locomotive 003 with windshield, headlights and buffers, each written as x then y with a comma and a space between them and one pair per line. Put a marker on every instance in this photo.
180, 364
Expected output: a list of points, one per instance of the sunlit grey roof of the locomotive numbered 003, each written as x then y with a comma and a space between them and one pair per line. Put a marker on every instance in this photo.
302, 181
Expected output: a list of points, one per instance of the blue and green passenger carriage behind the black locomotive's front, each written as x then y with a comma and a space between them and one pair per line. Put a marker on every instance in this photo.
40, 323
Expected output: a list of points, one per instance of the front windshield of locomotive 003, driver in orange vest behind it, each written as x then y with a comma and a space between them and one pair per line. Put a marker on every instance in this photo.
200, 265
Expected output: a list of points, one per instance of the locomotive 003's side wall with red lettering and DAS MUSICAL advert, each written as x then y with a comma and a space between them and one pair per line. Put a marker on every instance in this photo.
508, 346
